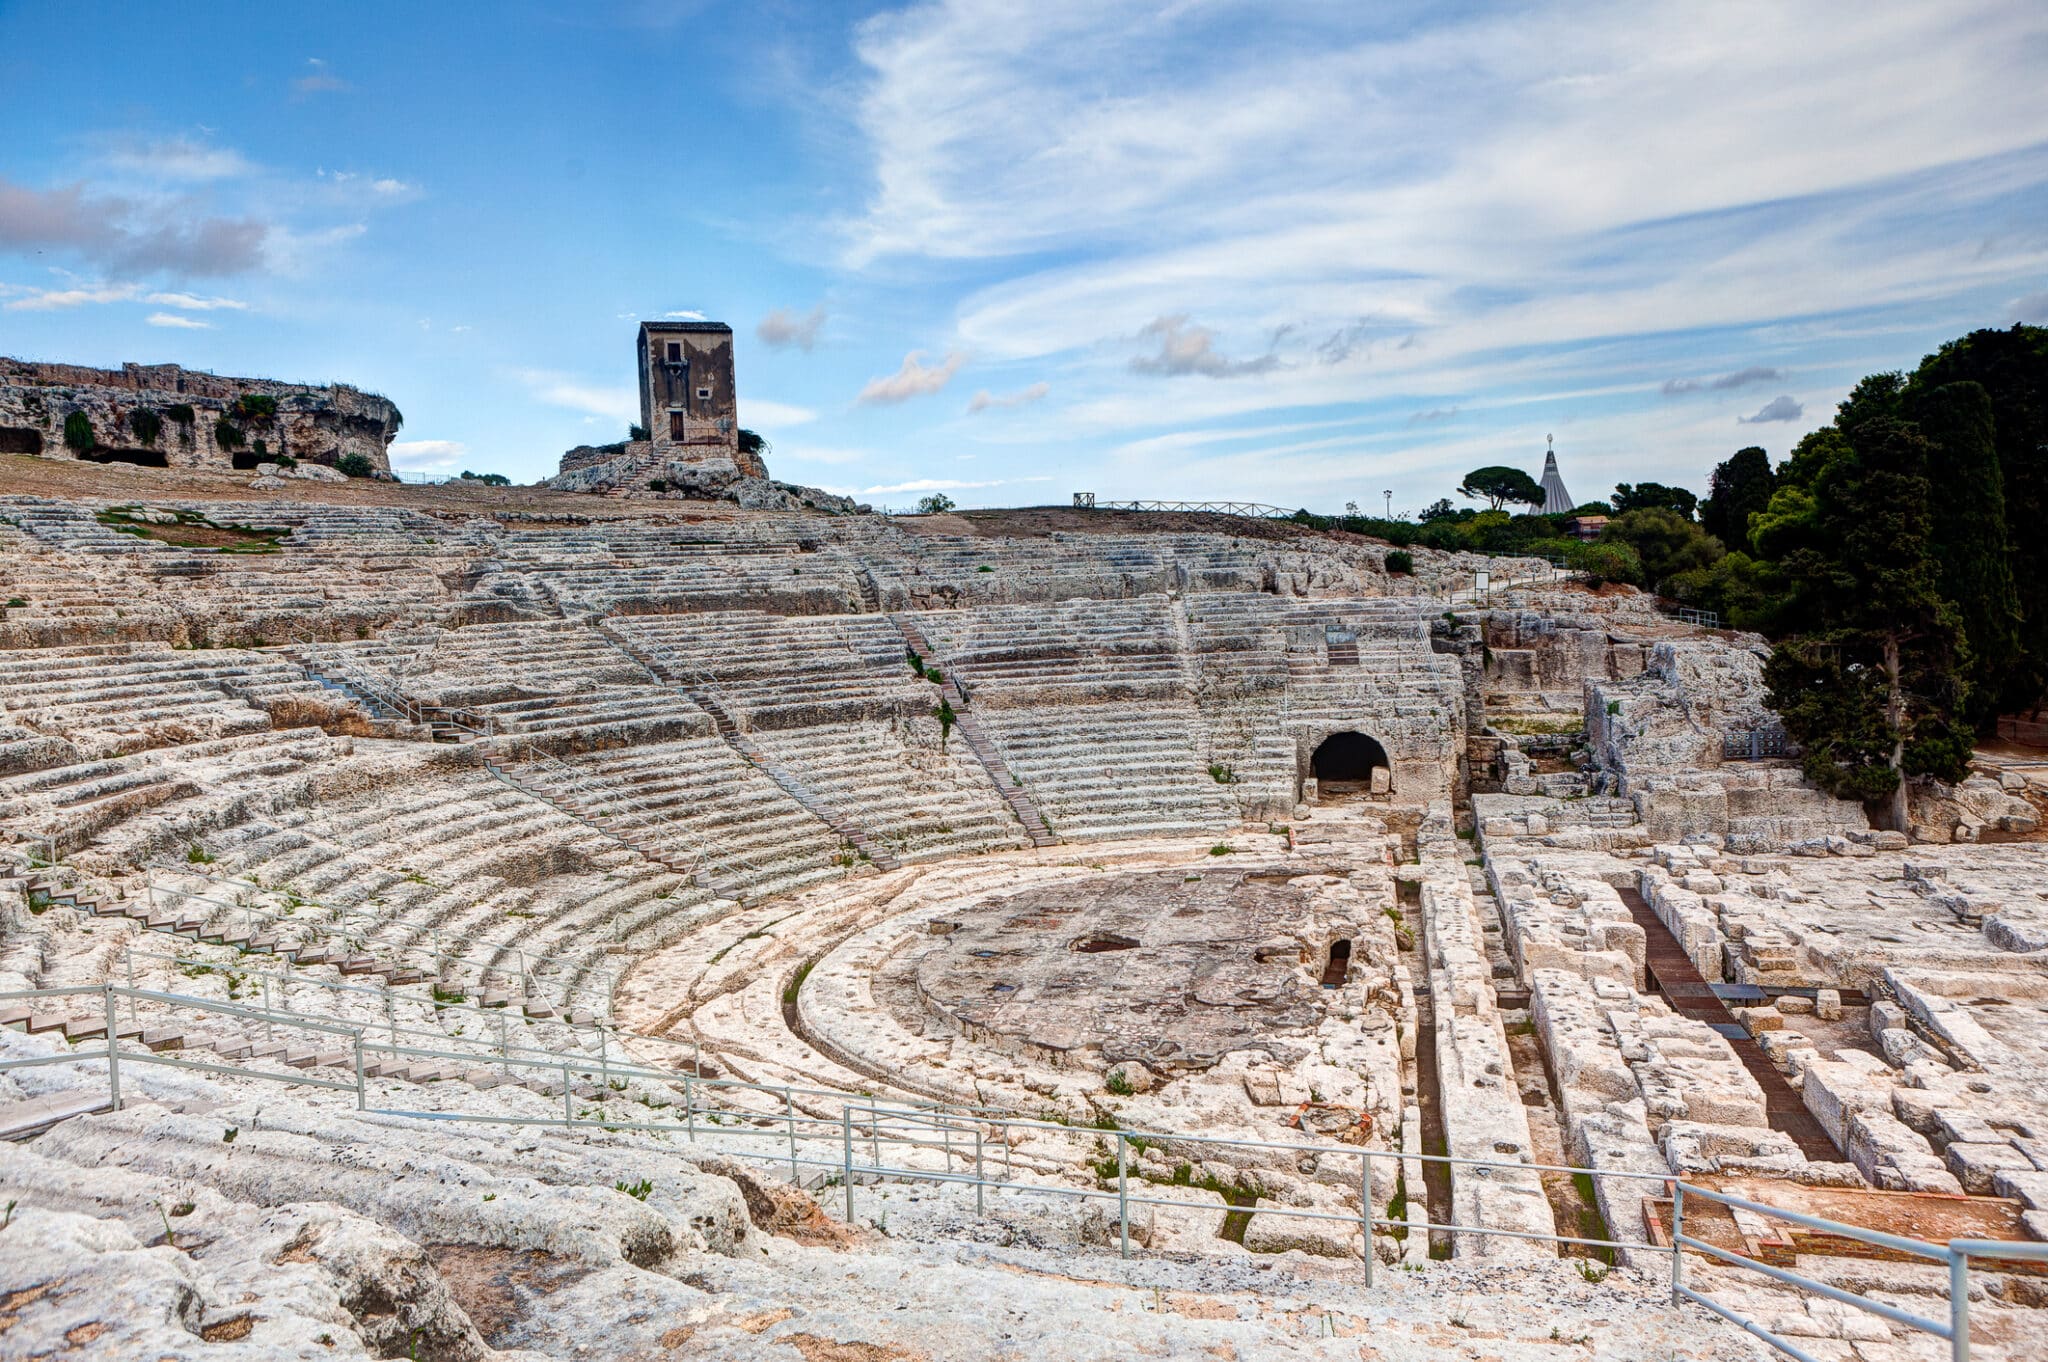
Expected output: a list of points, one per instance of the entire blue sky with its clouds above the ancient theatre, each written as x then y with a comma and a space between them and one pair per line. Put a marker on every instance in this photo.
1285, 253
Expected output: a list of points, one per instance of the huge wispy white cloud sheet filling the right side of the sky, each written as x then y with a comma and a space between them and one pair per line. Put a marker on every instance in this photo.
1406, 214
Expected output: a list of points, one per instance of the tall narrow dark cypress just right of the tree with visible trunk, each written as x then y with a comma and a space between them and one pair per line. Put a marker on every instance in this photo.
1971, 542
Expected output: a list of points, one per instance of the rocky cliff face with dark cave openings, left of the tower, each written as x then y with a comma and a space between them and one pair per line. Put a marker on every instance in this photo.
171, 417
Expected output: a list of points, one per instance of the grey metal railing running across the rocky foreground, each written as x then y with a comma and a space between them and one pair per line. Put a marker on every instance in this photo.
953, 1146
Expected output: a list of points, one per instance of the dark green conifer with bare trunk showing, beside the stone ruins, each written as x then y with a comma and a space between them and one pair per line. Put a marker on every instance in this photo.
1873, 685
